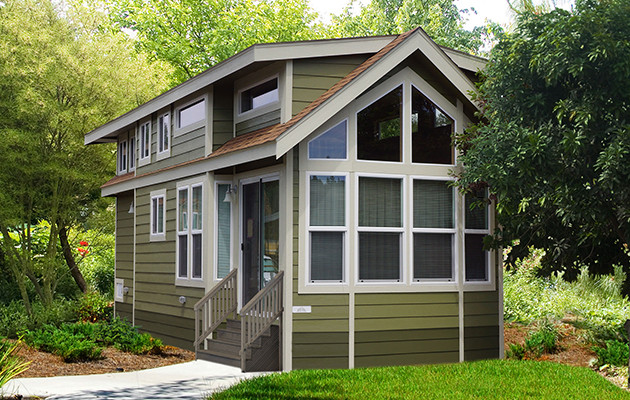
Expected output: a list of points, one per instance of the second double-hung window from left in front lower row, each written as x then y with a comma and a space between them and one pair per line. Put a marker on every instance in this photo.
380, 229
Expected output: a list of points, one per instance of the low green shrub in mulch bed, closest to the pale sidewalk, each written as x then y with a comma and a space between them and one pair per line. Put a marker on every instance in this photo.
69, 341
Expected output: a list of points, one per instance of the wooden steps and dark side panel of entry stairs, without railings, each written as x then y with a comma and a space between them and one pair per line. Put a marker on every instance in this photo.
261, 355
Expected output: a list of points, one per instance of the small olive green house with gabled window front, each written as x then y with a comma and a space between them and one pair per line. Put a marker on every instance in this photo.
291, 208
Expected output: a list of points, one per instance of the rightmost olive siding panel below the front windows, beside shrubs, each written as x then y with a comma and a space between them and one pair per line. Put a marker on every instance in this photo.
481, 325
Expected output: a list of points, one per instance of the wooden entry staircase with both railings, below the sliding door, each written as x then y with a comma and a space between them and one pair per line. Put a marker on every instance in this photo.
250, 340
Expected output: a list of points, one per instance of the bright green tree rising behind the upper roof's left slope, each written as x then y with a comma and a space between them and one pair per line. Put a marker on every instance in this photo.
193, 35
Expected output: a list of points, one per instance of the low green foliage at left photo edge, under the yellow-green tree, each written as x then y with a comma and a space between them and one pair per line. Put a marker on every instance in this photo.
14, 319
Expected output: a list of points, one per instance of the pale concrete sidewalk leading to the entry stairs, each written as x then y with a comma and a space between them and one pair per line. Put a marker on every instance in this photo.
191, 380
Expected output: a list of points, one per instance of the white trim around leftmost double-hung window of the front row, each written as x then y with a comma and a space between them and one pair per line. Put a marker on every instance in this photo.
340, 228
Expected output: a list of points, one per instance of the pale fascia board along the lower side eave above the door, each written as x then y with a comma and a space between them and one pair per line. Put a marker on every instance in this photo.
177, 173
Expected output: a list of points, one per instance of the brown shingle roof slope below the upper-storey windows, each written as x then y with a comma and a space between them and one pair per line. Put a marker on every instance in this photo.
271, 133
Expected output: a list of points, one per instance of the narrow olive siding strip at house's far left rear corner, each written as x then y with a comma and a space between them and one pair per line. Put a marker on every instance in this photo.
124, 252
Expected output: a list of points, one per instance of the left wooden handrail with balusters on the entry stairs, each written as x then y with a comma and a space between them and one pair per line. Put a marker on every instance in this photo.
215, 307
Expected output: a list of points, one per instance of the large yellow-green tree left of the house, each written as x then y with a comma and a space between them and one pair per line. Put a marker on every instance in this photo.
61, 75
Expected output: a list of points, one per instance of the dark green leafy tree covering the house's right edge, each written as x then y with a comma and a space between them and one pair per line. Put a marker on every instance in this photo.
554, 142
